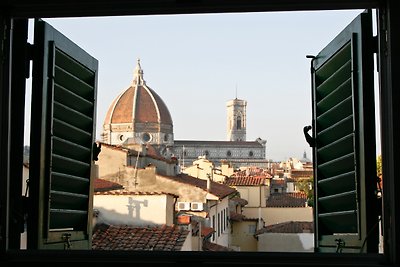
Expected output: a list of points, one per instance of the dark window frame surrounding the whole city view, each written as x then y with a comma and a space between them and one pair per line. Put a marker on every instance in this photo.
388, 35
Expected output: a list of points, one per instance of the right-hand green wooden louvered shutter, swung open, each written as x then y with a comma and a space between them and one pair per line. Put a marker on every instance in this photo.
346, 214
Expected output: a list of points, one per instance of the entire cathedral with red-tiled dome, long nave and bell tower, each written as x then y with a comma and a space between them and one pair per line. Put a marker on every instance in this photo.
138, 115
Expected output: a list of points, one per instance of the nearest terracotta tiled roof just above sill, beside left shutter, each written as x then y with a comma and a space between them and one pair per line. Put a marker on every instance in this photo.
124, 237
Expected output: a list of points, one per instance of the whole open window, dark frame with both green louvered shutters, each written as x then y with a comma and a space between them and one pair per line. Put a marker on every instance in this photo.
347, 228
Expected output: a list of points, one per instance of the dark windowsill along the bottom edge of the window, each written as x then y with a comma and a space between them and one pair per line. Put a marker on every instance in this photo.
205, 258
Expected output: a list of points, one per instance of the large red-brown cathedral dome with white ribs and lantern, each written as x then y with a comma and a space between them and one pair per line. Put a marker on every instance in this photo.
138, 114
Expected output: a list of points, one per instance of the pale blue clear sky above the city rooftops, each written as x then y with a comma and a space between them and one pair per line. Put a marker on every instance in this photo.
198, 62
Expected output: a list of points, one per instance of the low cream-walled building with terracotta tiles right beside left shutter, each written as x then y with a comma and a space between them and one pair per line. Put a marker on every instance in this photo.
124, 220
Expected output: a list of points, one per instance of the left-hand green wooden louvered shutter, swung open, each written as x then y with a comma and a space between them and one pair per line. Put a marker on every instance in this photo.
64, 87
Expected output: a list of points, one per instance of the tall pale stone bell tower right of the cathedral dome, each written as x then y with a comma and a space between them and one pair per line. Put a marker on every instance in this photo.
236, 120
